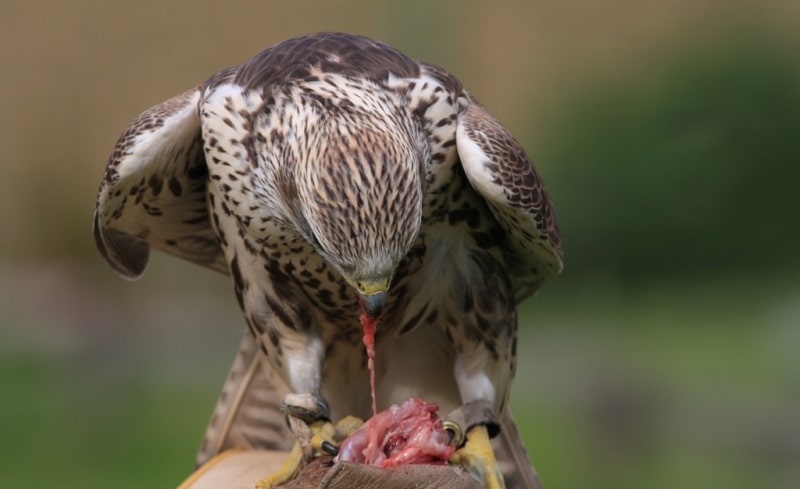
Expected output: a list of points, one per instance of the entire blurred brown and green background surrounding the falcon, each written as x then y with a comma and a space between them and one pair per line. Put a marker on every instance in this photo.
667, 355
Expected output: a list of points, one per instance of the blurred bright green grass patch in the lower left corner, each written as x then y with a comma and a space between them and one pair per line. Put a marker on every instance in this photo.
69, 430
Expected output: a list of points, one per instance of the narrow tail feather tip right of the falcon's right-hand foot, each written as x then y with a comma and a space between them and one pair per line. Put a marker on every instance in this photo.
512, 457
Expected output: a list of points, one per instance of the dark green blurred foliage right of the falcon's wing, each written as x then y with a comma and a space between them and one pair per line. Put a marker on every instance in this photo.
691, 171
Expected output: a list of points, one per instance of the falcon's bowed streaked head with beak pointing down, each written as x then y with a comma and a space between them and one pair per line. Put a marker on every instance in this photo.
360, 190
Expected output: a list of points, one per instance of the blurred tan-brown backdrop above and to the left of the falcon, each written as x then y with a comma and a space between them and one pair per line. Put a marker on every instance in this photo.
75, 73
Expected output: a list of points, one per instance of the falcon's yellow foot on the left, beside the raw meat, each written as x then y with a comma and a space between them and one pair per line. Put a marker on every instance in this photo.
312, 441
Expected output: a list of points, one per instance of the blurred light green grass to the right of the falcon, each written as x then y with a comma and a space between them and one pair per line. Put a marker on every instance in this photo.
692, 385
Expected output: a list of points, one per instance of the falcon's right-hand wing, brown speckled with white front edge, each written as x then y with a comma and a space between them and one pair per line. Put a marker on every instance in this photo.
500, 171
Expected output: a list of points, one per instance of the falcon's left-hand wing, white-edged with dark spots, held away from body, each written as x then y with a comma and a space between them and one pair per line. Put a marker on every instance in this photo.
153, 193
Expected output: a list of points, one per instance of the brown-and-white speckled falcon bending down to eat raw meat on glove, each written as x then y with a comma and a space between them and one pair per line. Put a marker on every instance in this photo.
327, 174
